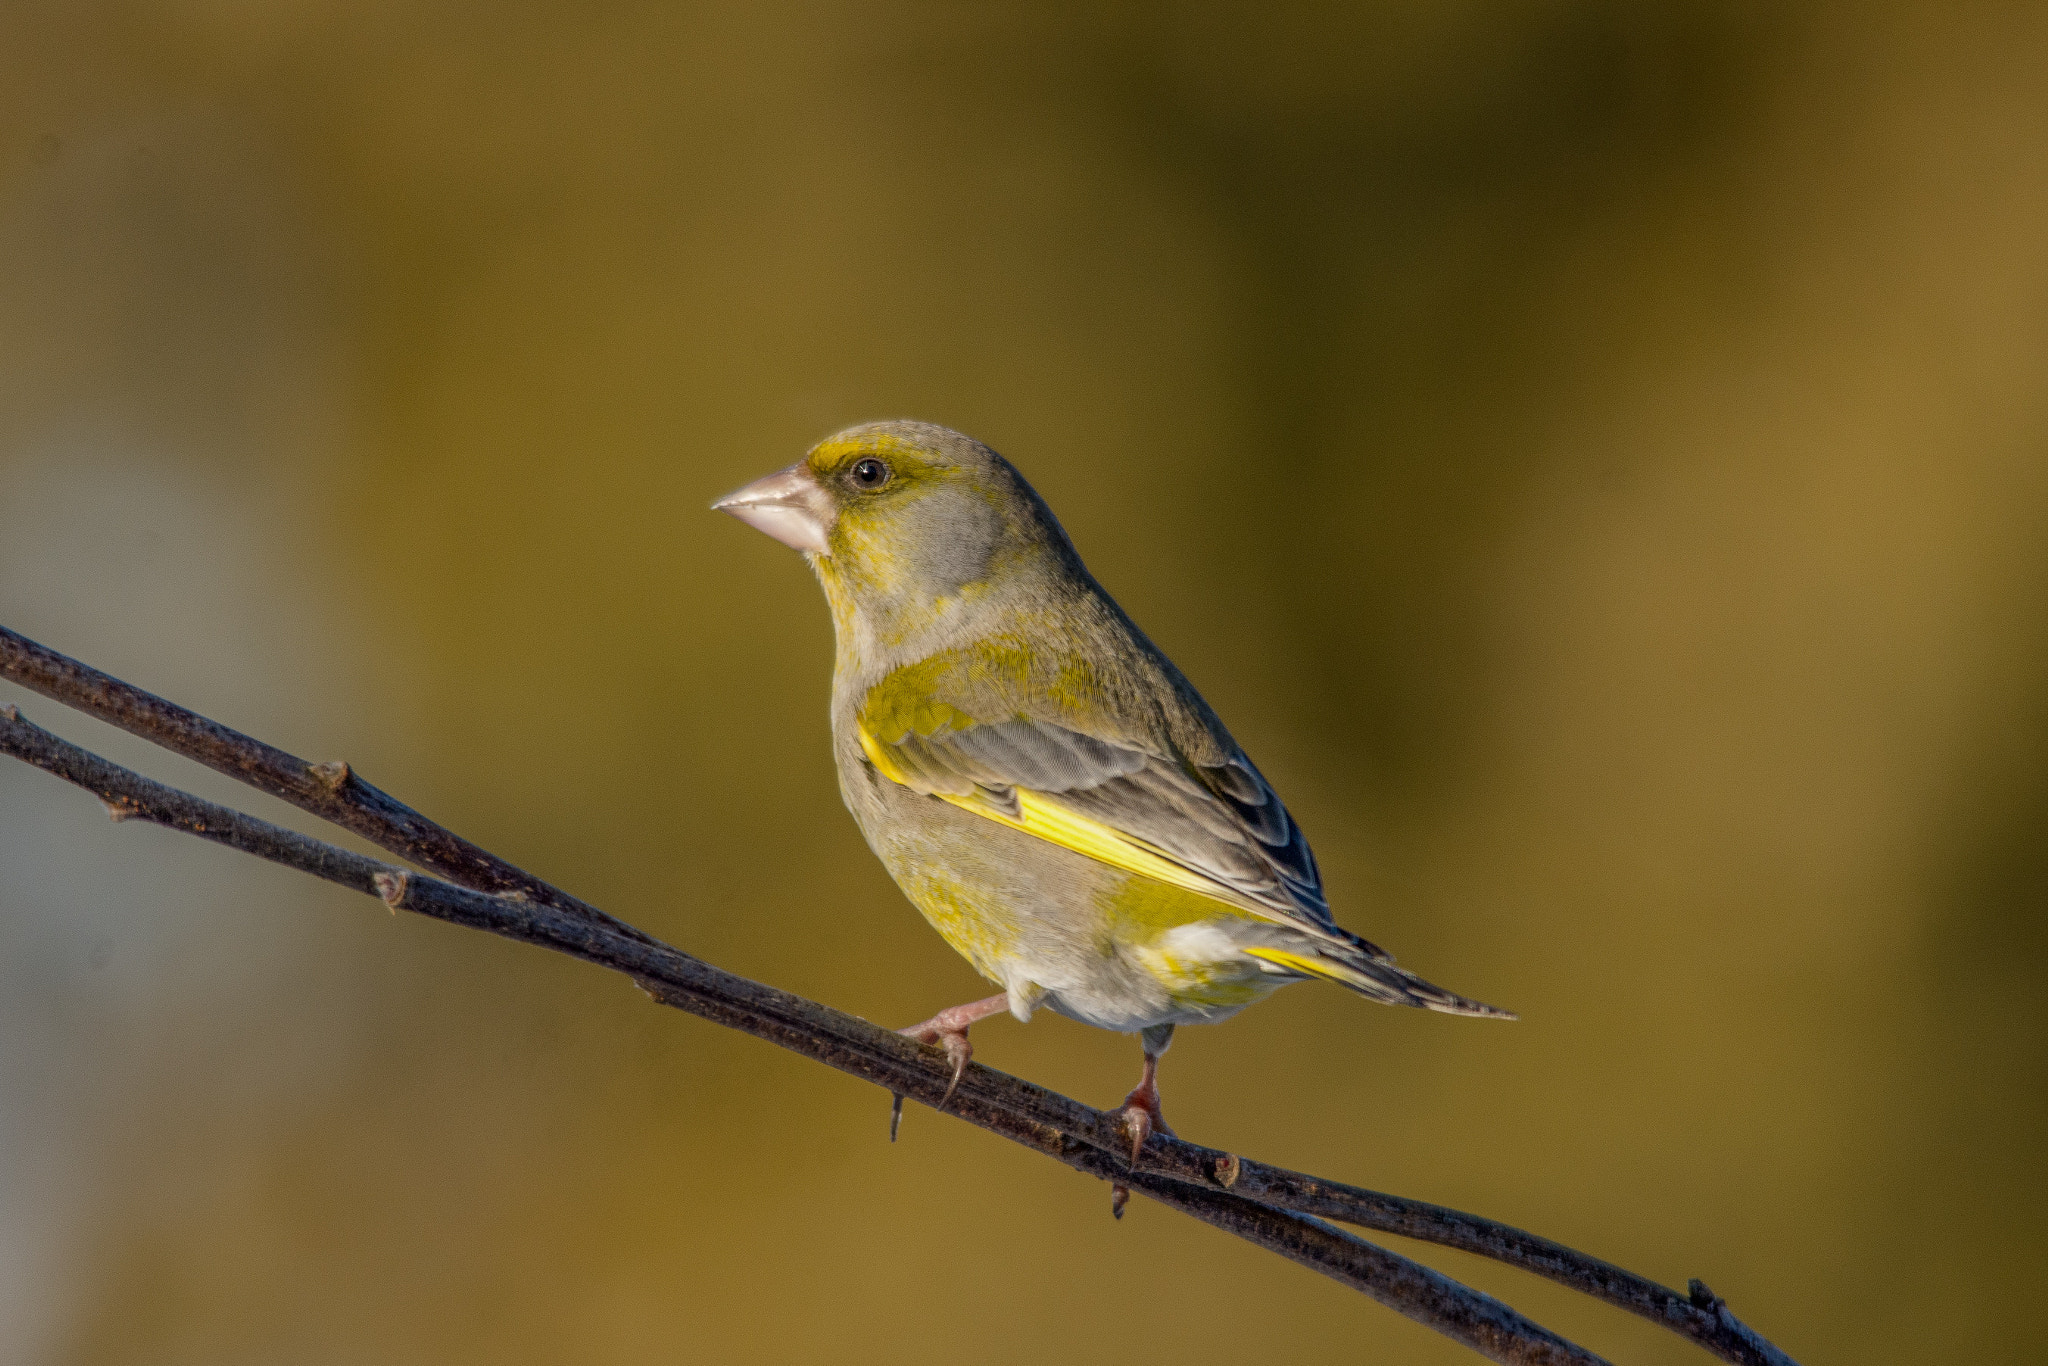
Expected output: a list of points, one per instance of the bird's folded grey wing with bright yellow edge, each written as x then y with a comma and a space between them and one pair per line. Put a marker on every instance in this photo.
1211, 828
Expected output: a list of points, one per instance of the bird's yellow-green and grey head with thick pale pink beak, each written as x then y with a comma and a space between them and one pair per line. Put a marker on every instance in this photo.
898, 517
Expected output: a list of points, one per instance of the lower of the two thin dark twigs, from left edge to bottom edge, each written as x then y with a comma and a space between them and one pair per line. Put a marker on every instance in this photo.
1046, 1121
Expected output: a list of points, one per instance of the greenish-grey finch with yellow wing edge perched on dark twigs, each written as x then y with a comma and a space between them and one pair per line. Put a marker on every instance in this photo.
1037, 777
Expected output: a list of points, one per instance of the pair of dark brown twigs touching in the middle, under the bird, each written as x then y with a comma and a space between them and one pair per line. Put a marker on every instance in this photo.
1222, 1189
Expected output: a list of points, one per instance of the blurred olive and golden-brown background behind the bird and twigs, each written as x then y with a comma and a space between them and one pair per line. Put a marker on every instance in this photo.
1592, 452
